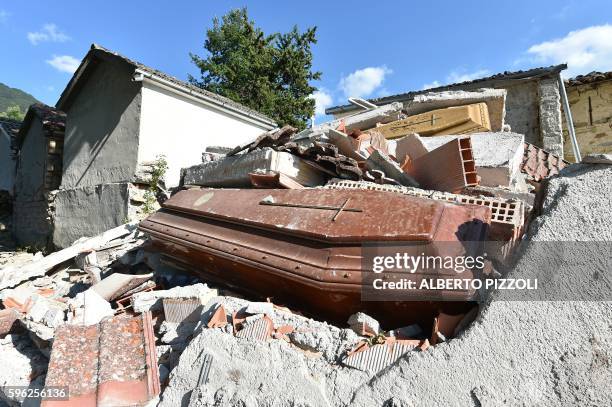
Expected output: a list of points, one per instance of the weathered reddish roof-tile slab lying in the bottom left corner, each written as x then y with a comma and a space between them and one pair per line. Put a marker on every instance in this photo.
113, 363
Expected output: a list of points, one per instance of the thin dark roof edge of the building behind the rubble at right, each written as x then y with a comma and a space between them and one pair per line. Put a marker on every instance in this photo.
489, 81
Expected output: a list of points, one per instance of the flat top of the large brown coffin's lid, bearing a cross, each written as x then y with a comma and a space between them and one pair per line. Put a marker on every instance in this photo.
381, 216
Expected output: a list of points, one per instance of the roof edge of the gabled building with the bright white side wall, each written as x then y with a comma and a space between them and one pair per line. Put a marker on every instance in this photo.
97, 50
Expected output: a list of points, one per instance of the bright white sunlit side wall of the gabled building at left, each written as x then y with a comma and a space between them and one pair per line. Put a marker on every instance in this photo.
181, 128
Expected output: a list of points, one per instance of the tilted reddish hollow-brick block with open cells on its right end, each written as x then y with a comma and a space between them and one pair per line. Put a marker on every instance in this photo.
449, 167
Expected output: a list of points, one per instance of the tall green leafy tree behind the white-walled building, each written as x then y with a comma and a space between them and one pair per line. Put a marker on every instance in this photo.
268, 73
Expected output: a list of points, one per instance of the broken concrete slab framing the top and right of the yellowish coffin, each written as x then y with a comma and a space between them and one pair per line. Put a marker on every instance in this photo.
495, 100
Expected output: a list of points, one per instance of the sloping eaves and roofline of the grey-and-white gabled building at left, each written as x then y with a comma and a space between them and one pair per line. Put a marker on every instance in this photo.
98, 52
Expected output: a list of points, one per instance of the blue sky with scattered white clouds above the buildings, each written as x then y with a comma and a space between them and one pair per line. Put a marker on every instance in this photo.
364, 48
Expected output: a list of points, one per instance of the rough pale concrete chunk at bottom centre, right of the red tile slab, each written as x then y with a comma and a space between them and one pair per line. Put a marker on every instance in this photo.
243, 373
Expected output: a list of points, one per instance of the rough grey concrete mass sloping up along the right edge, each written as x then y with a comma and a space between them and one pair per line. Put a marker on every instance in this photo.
523, 353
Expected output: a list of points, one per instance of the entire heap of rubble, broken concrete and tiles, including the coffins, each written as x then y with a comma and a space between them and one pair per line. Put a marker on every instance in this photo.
247, 286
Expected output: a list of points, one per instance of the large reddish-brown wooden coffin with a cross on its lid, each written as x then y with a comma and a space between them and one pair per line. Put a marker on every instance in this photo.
299, 248
